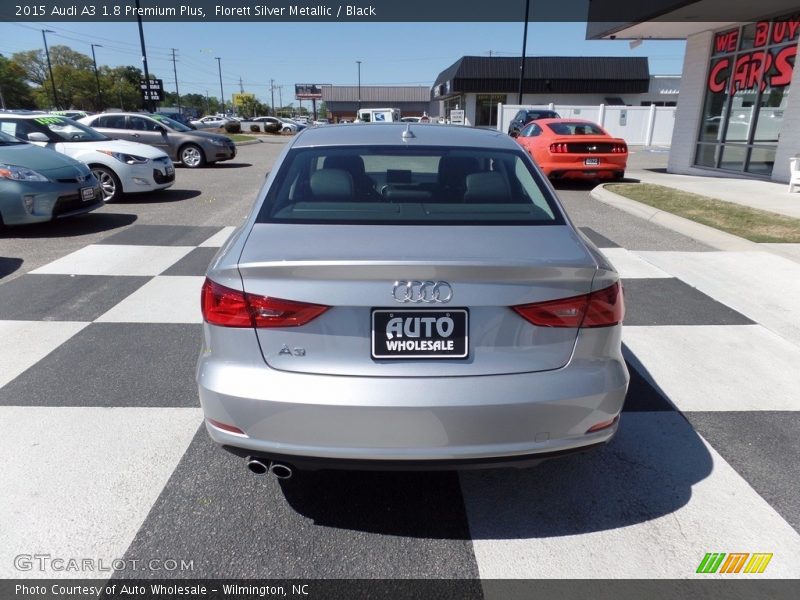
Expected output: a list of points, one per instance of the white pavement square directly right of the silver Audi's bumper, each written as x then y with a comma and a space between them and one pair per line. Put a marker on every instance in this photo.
718, 367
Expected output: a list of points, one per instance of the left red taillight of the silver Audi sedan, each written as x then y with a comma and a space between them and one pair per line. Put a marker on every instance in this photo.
232, 308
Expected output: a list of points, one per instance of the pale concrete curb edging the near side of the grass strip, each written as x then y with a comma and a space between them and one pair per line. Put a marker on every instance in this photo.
697, 231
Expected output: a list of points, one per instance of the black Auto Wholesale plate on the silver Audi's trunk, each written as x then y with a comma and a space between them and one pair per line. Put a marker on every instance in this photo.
420, 333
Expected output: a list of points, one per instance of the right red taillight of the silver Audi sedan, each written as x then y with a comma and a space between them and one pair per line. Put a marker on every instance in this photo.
602, 308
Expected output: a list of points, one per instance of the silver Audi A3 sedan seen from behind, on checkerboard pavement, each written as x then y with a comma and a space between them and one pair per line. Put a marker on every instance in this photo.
409, 296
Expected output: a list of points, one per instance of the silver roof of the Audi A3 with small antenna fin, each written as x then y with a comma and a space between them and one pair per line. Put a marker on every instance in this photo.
391, 134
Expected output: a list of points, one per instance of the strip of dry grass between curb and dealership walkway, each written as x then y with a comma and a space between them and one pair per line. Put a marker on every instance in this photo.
750, 223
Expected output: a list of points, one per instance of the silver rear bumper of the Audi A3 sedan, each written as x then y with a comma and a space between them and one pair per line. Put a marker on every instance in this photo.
310, 419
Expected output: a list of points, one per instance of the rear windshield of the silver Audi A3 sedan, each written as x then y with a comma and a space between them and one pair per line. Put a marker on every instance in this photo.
408, 185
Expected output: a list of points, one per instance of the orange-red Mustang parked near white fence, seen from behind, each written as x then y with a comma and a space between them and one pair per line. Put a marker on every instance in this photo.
571, 148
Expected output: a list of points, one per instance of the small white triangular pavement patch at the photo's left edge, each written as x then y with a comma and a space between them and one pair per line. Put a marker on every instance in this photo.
27, 342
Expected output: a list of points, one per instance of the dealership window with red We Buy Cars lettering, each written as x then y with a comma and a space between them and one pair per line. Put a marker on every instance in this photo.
747, 91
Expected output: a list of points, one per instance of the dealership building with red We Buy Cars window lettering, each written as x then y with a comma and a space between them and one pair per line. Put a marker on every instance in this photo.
735, 114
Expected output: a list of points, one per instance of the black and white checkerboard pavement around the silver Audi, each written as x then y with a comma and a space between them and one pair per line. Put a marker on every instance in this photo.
106, 456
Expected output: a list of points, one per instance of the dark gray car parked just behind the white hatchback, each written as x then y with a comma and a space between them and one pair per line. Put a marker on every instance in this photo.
182, 144
